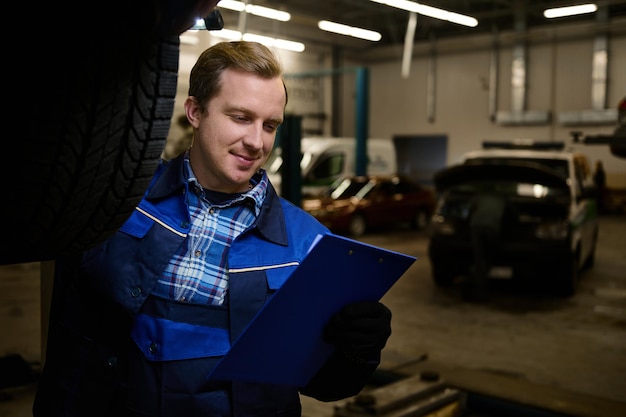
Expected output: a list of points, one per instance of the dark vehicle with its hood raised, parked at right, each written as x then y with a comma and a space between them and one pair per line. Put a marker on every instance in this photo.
549, 228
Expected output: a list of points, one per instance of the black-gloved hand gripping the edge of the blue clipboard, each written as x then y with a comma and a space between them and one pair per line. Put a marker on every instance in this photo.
360, 330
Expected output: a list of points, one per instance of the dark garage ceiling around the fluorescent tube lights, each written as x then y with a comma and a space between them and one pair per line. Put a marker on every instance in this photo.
494, 16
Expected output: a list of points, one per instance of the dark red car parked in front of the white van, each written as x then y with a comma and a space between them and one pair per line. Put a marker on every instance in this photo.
355, 204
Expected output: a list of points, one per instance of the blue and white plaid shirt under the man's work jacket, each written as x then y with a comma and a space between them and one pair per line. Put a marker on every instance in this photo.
198, 272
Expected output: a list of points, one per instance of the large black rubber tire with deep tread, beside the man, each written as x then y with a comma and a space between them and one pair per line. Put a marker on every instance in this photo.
93, 107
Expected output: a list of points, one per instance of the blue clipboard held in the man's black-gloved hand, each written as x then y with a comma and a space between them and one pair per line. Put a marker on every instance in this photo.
283, 343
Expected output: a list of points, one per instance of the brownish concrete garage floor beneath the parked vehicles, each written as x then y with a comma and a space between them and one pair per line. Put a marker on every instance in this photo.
568, 355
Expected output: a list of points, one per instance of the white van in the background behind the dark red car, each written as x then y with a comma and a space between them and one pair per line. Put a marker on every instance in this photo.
325, 159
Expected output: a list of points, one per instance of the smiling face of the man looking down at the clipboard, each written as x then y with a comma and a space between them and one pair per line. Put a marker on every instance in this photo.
236, 133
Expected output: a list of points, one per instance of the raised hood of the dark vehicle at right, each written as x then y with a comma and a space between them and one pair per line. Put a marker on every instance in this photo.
476, 171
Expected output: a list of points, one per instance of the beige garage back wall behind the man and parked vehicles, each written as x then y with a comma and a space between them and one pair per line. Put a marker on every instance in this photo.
558, 80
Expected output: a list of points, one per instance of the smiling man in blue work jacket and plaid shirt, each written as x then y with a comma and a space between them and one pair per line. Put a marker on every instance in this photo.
138, 322
